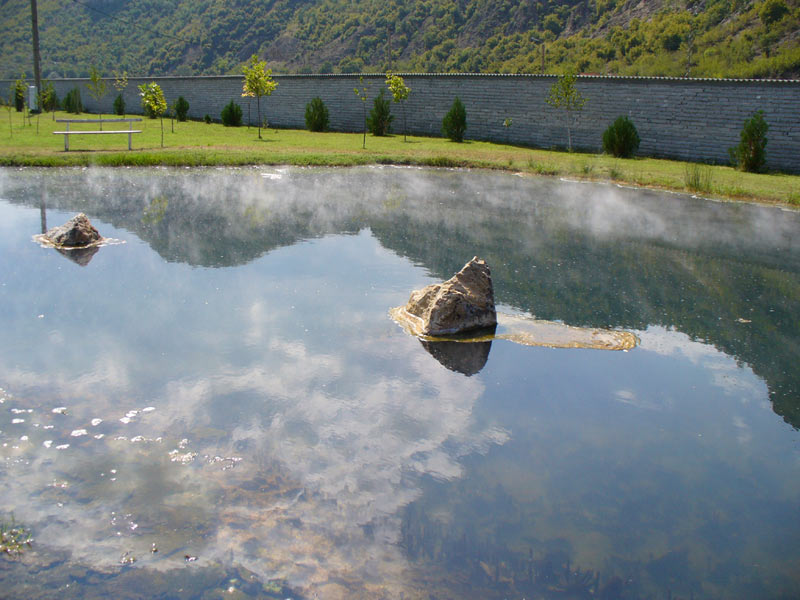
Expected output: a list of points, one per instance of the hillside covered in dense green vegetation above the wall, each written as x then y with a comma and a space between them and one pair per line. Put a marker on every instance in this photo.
718, 38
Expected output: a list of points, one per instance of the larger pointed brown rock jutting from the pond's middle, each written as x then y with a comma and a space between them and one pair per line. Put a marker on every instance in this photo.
462, 303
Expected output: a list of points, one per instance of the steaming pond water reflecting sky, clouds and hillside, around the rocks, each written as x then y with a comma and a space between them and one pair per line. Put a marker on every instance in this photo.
227, 385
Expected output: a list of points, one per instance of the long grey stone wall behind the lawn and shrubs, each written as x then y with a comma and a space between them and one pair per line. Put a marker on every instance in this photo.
691, 119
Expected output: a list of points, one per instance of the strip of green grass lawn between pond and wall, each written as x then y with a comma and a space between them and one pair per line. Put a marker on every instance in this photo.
196, 143
